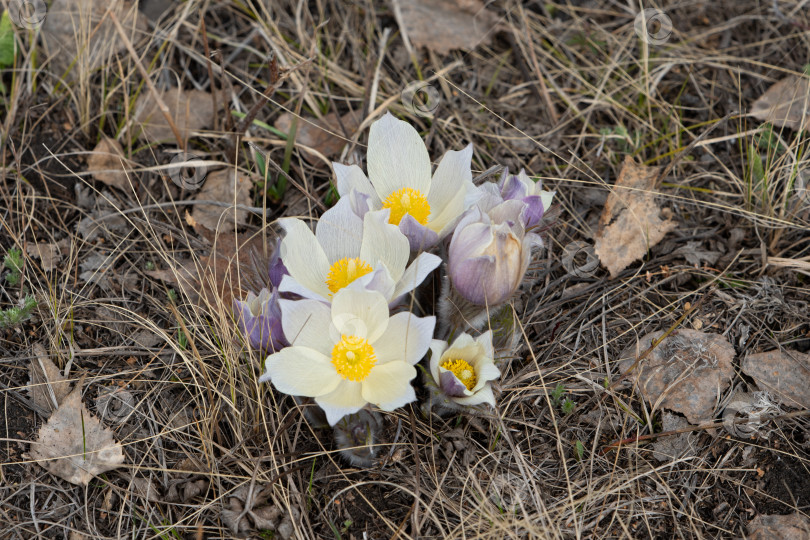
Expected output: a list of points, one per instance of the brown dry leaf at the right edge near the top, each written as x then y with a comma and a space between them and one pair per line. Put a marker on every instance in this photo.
785, 104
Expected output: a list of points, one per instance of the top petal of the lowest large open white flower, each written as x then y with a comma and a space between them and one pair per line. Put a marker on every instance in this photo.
360, 313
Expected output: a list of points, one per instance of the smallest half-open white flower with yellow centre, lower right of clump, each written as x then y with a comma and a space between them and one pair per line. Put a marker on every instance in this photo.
464, 370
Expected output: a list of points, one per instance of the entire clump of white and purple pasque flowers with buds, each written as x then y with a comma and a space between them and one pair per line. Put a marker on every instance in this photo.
340, 321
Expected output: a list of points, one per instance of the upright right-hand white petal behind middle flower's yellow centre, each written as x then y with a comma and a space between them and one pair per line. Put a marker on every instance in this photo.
384, 243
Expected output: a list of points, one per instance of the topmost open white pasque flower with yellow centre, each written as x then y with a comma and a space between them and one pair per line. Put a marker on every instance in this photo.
424, 208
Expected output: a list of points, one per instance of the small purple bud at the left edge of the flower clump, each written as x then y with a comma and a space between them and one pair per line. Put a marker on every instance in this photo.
259, 320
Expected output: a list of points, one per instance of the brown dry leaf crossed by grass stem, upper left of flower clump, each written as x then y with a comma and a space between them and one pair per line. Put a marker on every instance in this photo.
225, 186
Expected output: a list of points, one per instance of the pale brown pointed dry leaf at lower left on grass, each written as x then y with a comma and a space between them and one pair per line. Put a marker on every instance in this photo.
74, 445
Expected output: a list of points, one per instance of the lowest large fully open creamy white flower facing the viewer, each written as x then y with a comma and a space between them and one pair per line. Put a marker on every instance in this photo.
349, 354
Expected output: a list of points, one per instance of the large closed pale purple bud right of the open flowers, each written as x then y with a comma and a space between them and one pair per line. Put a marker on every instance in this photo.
489, 252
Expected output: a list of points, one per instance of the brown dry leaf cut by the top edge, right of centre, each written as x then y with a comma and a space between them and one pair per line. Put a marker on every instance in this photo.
444, 25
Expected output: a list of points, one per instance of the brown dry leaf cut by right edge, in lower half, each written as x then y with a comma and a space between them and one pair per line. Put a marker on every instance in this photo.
785, 373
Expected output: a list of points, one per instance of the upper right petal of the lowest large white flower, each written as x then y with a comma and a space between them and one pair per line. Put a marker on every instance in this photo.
406, 339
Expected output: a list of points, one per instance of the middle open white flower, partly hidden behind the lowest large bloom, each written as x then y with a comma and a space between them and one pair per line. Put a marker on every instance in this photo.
366, 253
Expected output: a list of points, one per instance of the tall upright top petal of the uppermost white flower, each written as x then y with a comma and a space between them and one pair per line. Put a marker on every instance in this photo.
397, 157
